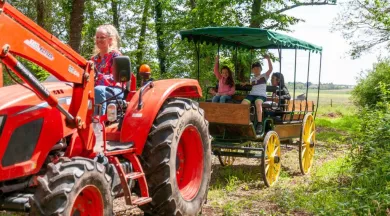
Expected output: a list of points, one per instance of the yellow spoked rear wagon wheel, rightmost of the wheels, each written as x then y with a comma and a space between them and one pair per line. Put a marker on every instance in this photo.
307, 144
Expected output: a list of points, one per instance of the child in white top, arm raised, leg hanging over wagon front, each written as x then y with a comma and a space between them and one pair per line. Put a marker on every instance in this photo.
258, 94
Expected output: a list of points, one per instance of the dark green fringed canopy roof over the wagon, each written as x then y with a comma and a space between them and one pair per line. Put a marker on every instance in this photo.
249, 38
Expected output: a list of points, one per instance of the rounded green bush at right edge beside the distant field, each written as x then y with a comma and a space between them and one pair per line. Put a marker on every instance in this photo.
366, 92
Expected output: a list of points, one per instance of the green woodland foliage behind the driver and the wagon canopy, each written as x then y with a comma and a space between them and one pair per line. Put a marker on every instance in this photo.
179, 57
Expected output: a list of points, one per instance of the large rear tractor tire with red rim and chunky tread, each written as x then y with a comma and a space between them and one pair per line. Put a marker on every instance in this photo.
177, 159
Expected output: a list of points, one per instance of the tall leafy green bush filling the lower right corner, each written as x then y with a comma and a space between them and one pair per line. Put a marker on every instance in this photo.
371, 155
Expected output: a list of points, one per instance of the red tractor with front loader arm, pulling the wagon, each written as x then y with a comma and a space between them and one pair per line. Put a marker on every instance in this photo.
58, 158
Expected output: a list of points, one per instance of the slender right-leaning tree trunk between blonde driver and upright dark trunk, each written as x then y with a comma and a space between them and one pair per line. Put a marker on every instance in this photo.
141, 41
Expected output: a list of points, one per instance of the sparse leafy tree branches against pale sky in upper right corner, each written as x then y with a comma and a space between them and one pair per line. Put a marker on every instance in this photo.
365, 24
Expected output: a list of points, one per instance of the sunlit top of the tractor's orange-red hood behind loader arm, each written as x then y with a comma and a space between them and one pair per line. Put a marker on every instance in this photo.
16, 97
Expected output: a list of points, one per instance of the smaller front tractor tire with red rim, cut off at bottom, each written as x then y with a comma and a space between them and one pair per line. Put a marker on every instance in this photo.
73, 187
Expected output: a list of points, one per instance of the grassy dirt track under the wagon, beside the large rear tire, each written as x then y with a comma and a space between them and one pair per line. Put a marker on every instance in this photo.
249, 188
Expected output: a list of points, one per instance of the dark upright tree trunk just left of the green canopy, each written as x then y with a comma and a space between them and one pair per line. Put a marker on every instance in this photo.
159, 32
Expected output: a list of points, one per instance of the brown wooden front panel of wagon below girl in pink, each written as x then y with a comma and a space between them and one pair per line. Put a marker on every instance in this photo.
226, 113
